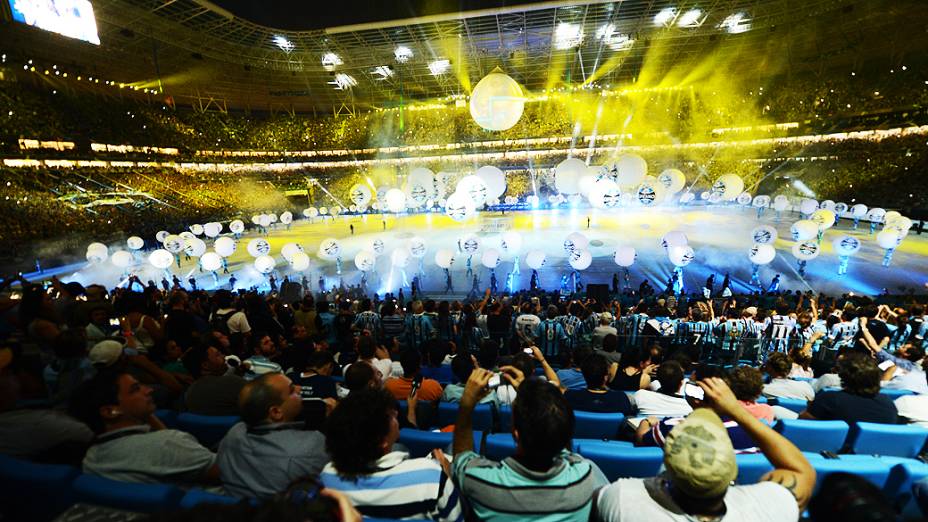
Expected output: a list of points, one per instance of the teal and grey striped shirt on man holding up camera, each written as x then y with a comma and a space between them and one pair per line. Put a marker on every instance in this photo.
507, 490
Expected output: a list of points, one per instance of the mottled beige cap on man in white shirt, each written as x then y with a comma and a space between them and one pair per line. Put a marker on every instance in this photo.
699, 457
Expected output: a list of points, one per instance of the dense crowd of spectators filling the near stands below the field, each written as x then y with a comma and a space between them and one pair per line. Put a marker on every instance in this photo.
328, 396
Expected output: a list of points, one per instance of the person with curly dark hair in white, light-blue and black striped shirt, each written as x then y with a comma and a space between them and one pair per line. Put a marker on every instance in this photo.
360, 434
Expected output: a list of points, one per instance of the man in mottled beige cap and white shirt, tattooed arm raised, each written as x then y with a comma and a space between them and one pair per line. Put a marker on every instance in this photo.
700, 466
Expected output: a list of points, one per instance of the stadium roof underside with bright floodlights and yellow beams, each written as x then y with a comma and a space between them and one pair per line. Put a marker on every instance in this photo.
198, 51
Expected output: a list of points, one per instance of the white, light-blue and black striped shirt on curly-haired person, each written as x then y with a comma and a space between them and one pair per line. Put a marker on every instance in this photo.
401, 488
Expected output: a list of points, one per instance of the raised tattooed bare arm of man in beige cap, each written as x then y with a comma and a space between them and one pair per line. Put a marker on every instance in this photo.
791, 469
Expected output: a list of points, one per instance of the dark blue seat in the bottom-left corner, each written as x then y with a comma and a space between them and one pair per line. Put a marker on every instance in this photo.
33, 491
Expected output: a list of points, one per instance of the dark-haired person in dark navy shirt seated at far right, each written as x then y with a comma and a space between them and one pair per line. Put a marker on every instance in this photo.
859, 399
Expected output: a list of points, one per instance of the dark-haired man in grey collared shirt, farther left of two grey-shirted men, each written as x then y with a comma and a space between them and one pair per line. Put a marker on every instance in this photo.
132, 445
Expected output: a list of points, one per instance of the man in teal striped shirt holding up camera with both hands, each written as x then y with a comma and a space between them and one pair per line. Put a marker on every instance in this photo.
520, 487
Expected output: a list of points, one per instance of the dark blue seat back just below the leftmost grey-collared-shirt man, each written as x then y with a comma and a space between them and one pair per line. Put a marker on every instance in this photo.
143, 498
